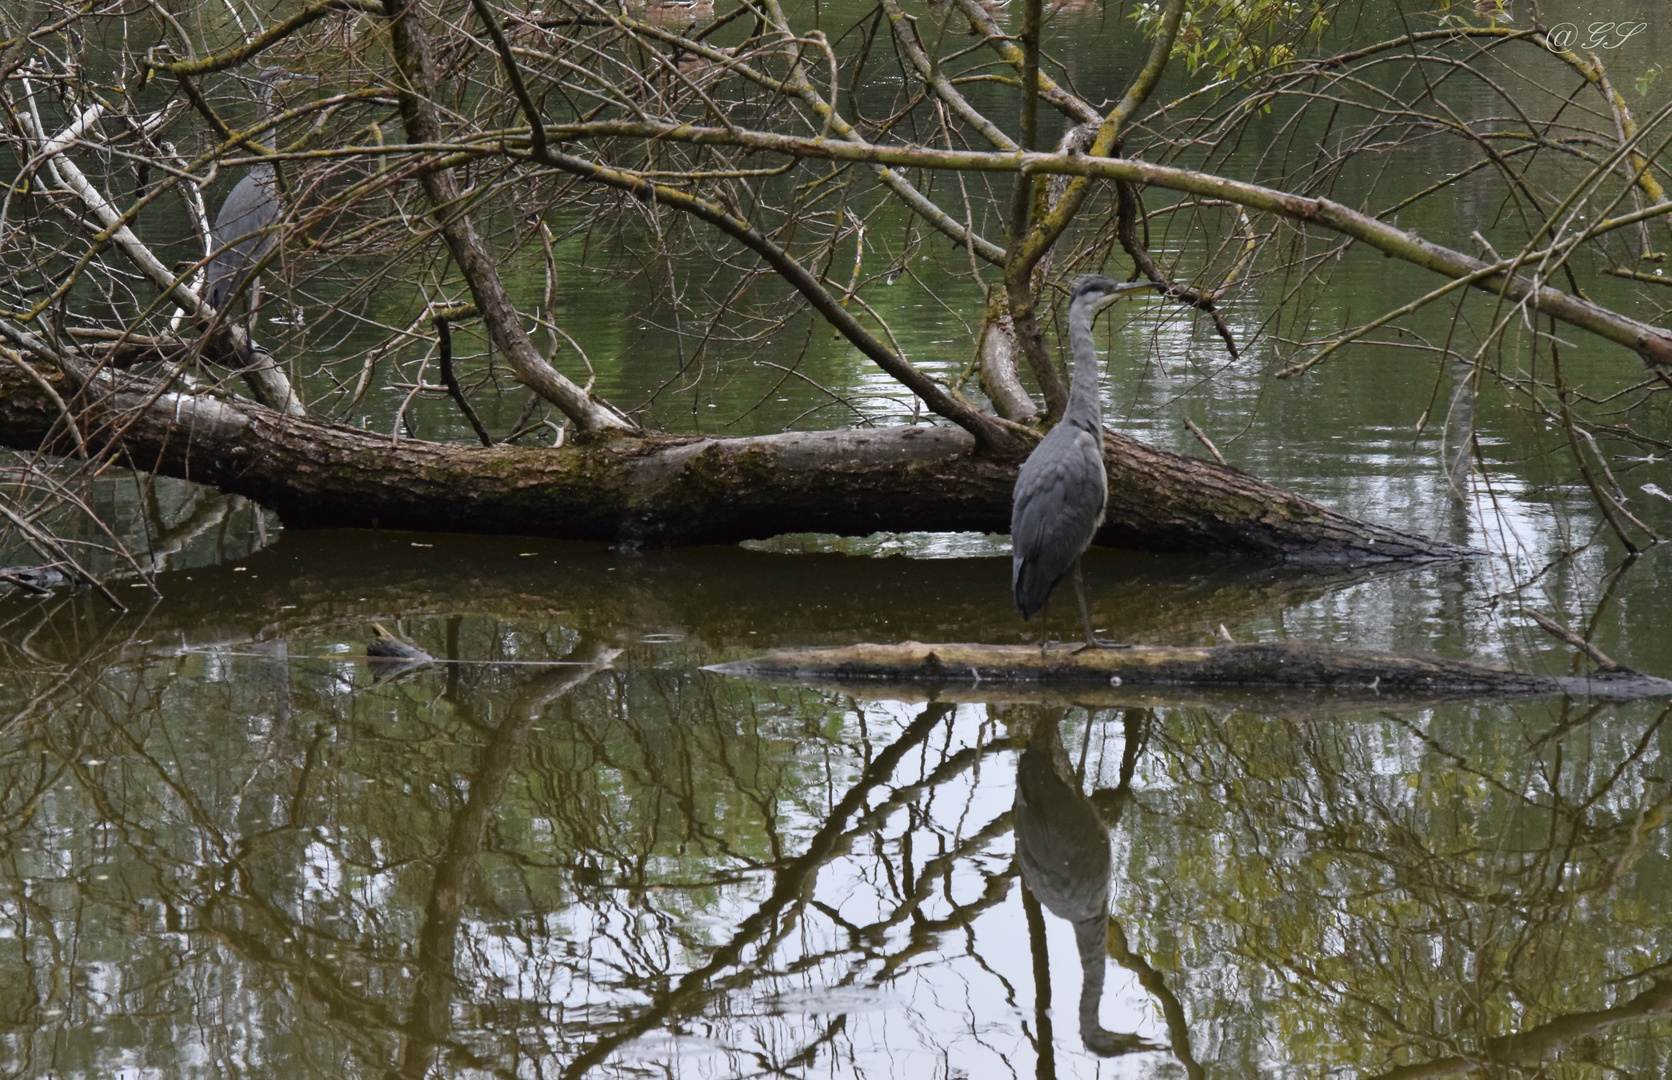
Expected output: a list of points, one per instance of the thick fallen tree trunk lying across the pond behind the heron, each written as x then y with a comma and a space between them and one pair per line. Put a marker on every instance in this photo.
666, 489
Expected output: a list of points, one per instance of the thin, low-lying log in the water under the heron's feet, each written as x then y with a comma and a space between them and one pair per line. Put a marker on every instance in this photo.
984, 670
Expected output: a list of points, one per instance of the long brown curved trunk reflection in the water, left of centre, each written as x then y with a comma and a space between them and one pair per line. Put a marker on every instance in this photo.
431, 1019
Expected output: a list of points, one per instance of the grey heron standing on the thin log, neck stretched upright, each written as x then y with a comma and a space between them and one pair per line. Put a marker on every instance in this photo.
1063, 487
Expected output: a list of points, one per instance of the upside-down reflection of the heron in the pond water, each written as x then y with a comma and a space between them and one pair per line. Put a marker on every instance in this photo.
1063, 850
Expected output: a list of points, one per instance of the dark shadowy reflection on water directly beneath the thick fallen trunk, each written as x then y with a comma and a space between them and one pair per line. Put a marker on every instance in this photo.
332, 584
